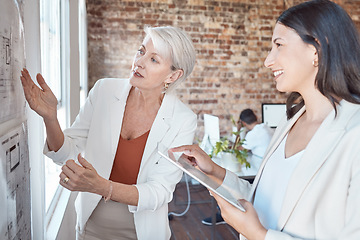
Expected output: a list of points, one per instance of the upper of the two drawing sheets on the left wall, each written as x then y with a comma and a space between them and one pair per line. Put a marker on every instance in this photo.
12, 60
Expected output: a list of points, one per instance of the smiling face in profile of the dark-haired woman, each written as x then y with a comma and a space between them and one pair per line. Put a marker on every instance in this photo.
291, 61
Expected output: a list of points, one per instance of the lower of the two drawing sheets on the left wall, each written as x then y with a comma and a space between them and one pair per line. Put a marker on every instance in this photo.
15, 218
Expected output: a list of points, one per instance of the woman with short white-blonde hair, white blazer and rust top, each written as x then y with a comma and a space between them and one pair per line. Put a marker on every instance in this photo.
124, 186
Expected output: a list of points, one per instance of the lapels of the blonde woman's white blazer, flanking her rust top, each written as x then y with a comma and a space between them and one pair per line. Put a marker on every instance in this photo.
158, 130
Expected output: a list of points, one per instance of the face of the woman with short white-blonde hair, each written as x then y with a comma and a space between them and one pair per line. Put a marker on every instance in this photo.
150, 69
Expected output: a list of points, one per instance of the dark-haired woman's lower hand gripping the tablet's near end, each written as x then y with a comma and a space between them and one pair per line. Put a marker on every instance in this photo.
247, 223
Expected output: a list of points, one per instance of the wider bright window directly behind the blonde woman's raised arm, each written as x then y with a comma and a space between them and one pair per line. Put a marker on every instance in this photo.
51, 64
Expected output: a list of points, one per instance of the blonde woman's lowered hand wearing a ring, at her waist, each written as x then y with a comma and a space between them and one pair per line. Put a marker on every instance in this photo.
83, 178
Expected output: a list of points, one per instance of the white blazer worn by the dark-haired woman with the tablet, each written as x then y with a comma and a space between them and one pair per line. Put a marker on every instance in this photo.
322, 200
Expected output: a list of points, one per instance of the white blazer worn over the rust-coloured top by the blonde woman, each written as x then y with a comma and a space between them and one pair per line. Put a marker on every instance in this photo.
95, 133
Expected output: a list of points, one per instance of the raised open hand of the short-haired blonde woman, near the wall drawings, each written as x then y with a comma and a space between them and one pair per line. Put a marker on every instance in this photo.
41, 100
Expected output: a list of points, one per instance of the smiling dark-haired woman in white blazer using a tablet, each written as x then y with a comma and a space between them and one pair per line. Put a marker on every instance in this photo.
308, 186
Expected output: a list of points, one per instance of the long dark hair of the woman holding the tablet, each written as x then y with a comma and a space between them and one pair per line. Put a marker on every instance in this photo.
327, 27
